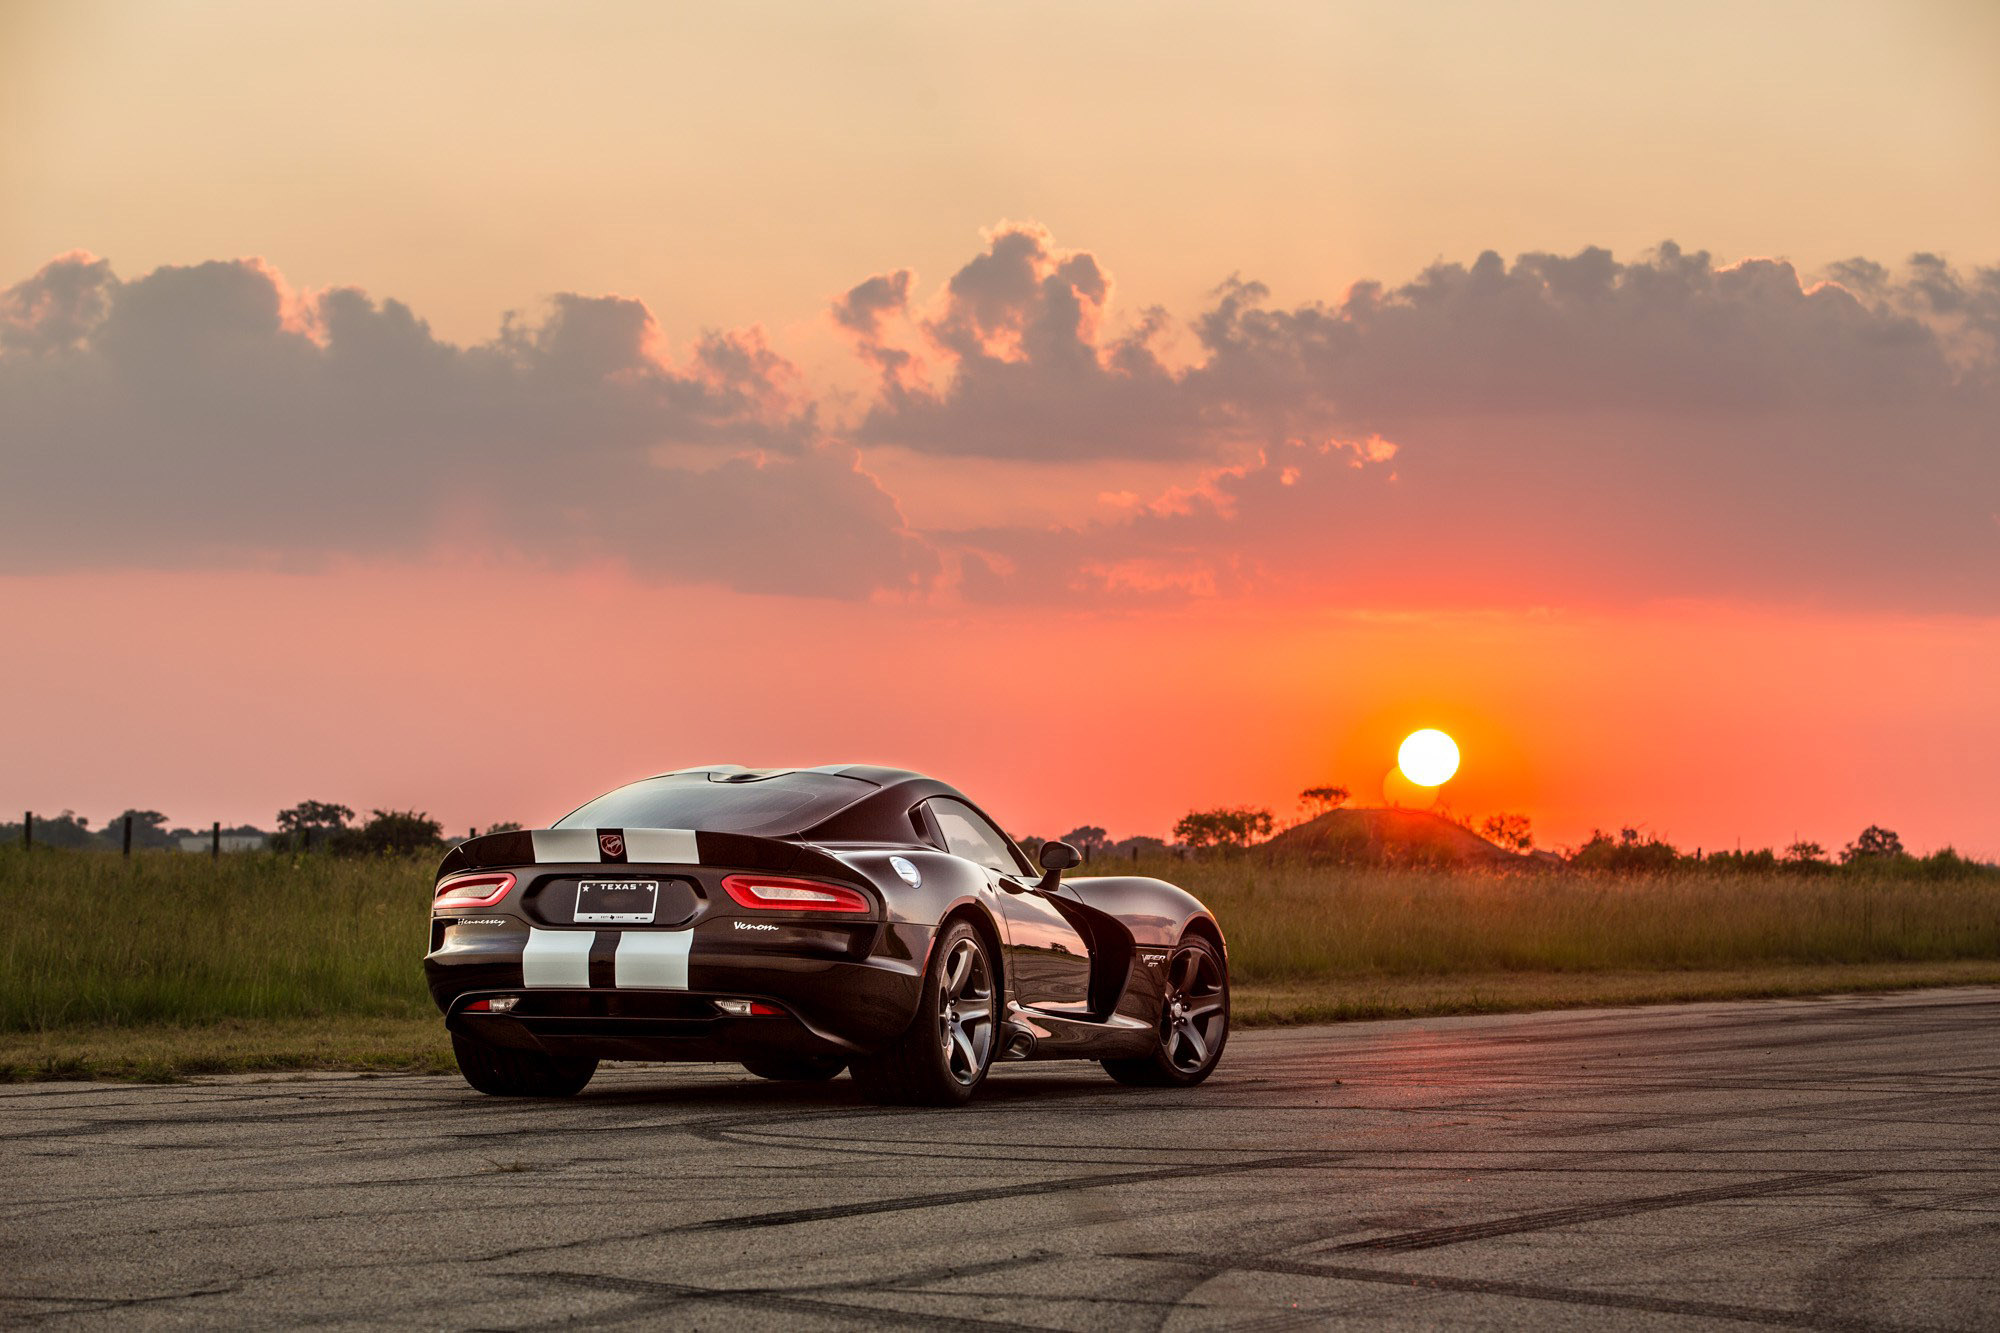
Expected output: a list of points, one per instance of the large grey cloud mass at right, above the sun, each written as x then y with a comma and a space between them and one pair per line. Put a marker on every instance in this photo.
1547, 431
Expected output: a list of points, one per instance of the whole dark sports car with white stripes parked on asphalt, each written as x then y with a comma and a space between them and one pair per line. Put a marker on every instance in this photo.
807, 922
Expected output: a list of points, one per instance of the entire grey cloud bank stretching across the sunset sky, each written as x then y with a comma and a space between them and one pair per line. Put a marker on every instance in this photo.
1545, 431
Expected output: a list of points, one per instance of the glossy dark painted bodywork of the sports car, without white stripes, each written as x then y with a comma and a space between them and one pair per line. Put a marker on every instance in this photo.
1081, 966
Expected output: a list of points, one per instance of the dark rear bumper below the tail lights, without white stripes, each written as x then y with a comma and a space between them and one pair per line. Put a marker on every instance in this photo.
831, 1002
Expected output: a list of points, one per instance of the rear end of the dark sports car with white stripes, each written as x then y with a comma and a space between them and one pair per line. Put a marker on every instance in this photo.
667, 946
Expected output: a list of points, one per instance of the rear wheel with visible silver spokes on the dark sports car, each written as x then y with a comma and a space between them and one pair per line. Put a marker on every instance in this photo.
951, 1046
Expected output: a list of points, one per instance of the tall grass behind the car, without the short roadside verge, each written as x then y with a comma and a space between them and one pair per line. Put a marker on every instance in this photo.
95, 940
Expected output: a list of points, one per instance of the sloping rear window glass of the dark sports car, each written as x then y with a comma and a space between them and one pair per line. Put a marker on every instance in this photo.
723, 804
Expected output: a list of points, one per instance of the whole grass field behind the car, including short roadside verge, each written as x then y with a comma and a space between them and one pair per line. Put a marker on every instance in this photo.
169, 966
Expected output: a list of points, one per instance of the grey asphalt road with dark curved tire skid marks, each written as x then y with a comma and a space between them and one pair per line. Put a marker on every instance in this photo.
1799, 1164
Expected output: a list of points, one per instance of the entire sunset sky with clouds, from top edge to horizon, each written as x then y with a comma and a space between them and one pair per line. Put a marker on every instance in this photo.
1113, 409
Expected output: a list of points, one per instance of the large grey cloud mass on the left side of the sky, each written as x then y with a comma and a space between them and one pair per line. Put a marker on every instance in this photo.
211, 415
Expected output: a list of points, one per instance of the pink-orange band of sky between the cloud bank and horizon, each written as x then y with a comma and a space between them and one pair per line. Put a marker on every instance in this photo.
225, 696
